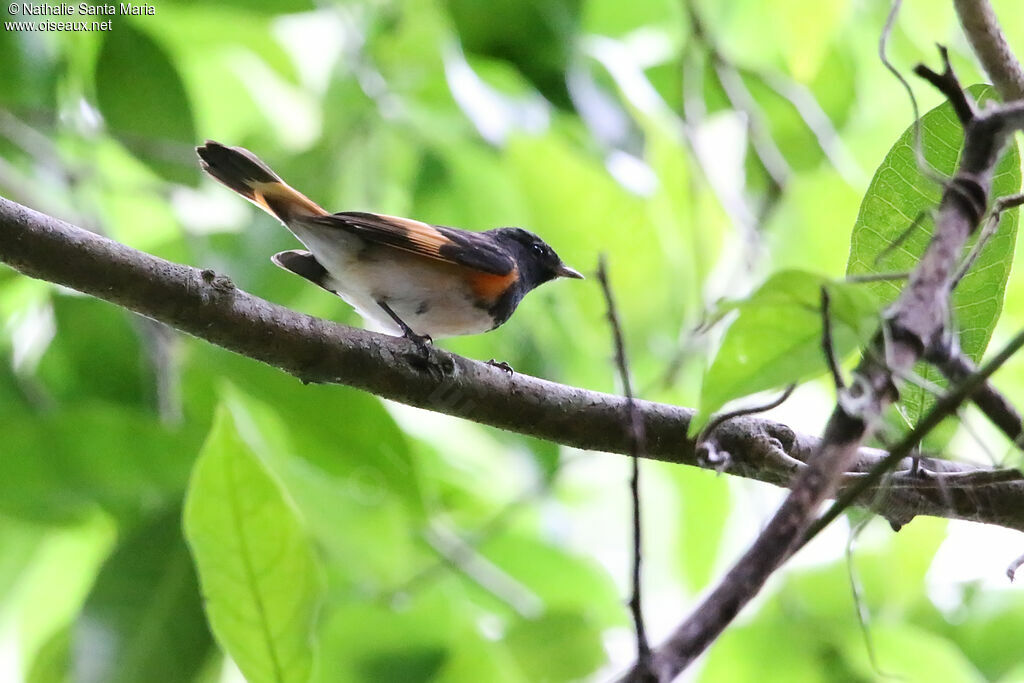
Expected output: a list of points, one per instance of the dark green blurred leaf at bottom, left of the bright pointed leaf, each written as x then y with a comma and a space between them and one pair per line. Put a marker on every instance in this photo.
144, 620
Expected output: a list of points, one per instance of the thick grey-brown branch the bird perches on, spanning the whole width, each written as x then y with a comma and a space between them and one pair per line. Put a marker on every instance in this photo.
209, 308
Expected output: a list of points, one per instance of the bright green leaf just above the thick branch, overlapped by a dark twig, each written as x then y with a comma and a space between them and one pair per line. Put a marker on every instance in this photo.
777, 338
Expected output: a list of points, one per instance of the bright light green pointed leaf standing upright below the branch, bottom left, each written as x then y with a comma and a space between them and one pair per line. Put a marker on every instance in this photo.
261, 578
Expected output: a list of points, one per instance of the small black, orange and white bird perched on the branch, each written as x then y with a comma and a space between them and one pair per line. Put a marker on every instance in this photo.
406, 277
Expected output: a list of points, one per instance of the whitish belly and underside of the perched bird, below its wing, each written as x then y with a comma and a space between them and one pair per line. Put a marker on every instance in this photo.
418, 290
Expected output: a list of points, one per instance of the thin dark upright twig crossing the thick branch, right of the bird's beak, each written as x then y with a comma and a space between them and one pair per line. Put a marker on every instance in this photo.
644, 671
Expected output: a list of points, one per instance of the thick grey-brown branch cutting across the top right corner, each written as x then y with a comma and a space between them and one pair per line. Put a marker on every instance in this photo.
983, 29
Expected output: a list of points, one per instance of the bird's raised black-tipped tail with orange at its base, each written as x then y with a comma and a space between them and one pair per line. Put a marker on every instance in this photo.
242, 172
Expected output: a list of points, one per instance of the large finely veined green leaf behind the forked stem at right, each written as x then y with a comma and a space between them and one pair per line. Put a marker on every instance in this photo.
900, 193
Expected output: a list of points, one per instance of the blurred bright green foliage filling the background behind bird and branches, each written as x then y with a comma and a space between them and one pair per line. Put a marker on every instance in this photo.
393, 545
